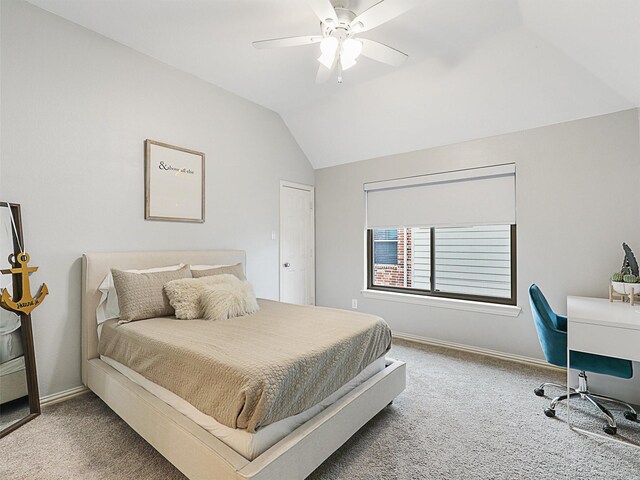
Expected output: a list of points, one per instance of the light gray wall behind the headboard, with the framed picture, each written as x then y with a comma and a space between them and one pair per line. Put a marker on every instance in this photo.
76, 108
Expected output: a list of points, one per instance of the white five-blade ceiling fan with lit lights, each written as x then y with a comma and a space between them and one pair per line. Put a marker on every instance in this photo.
340, 44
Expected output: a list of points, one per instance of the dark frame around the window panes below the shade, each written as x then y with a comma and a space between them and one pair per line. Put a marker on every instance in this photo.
436, 293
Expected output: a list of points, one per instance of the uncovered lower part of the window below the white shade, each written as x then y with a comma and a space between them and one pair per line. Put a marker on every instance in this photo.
470, 263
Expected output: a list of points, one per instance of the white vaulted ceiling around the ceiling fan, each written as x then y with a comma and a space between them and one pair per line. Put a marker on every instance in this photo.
476, 67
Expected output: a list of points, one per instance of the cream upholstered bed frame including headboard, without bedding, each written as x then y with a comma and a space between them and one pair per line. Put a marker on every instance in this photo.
186, 443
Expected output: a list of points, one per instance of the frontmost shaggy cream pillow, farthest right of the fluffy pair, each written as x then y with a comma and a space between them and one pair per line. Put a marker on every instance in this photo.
228, 300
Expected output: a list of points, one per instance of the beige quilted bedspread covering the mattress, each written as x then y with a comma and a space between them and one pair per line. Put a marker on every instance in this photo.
254, 370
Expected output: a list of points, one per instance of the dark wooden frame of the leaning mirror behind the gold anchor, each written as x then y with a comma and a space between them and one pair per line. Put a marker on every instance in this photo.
25, 329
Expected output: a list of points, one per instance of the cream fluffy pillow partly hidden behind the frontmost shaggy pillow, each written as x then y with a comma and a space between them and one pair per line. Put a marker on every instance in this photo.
184, 294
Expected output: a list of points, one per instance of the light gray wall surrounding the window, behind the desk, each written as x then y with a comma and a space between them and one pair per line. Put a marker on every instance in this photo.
572, 217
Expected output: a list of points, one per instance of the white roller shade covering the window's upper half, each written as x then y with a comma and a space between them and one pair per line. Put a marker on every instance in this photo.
473, 197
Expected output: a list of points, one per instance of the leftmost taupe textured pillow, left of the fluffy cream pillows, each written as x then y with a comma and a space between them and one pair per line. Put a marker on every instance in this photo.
140, 295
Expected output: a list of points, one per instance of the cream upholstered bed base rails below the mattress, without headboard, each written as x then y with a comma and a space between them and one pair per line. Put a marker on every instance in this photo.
200, 455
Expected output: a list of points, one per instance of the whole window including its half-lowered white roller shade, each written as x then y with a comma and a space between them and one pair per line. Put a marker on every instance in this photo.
449, 234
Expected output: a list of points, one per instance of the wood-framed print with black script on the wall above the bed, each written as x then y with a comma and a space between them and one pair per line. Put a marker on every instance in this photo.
174, 183
